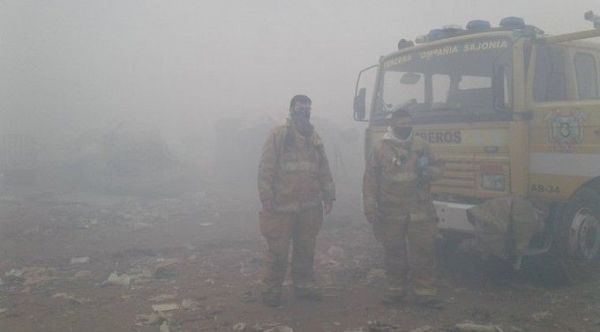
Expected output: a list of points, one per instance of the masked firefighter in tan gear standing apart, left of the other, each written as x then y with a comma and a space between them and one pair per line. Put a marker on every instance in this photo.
295, 187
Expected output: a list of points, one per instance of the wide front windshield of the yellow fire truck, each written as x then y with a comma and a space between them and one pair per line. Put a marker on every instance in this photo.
471, 78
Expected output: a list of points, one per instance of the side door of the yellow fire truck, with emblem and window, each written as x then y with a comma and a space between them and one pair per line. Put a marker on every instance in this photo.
564, 130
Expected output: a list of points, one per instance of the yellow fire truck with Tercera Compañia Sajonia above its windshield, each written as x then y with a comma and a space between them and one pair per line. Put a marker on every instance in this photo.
511, 112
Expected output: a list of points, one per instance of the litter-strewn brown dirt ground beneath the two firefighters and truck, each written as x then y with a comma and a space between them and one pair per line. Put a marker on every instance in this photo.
201, 254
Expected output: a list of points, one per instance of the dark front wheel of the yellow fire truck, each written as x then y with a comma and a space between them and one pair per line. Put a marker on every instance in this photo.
578, 237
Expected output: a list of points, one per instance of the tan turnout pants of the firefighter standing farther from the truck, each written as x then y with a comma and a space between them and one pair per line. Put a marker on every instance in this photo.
299, 229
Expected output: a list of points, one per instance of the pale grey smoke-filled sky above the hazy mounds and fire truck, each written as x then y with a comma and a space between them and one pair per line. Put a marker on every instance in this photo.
78, 65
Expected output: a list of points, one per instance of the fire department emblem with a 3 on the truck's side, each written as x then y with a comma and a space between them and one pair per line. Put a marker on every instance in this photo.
566, 131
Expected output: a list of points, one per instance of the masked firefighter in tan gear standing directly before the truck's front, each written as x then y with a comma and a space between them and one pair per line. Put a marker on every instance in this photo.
396, 201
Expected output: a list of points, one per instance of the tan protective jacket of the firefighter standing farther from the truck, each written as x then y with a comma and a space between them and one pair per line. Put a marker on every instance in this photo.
294, 172
